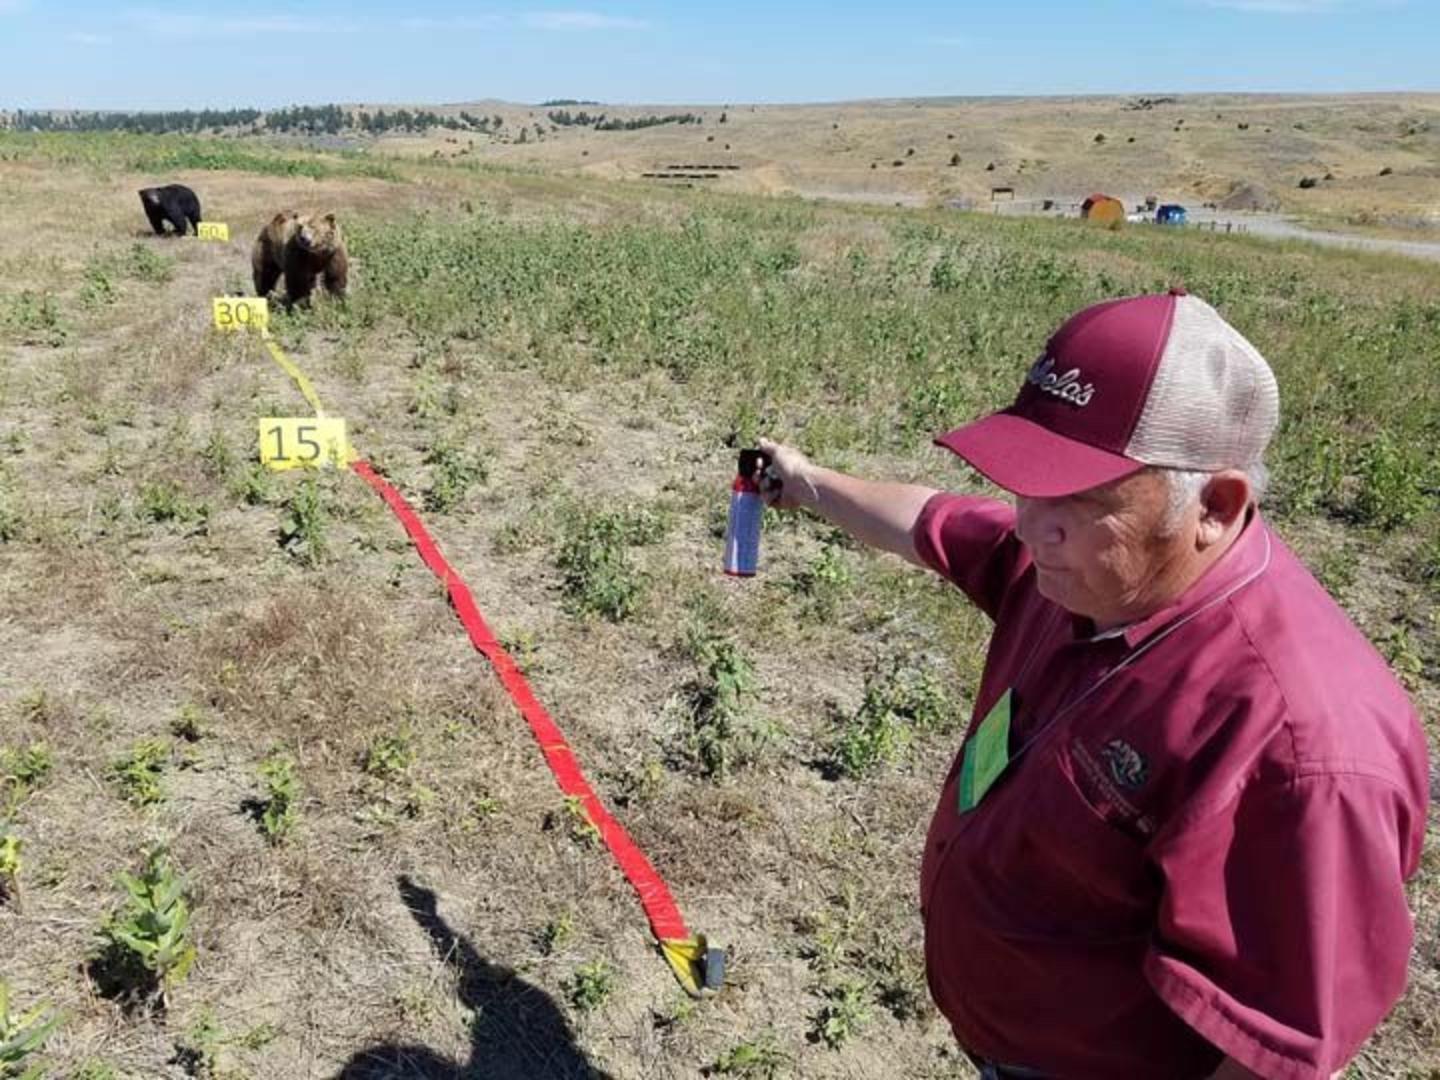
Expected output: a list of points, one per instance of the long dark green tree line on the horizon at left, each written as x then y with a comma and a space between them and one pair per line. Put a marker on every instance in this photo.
306, 120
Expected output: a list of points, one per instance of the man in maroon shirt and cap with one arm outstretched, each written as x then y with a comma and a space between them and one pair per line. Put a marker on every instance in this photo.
1176, 839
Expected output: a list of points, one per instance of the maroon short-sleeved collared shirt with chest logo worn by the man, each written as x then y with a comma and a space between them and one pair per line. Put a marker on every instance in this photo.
1202, 847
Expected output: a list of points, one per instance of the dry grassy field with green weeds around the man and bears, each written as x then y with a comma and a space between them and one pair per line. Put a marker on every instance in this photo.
555, 368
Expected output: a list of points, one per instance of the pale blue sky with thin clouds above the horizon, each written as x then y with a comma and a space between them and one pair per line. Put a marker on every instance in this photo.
263, 53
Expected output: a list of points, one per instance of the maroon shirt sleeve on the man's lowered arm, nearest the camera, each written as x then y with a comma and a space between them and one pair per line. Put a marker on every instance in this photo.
1284, 932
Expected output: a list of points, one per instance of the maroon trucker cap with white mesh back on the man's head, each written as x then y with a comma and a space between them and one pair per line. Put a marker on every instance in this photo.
1135, 382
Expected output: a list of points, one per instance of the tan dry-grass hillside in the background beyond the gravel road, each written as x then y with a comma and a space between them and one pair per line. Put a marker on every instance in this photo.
1192, 149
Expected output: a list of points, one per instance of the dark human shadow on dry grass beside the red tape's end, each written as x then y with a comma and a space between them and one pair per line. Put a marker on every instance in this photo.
519, 1032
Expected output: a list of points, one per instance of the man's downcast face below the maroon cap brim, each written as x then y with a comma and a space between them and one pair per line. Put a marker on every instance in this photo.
1102, 552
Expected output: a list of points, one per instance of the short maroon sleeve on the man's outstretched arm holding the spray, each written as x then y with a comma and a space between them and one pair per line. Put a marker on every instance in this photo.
971, 542
